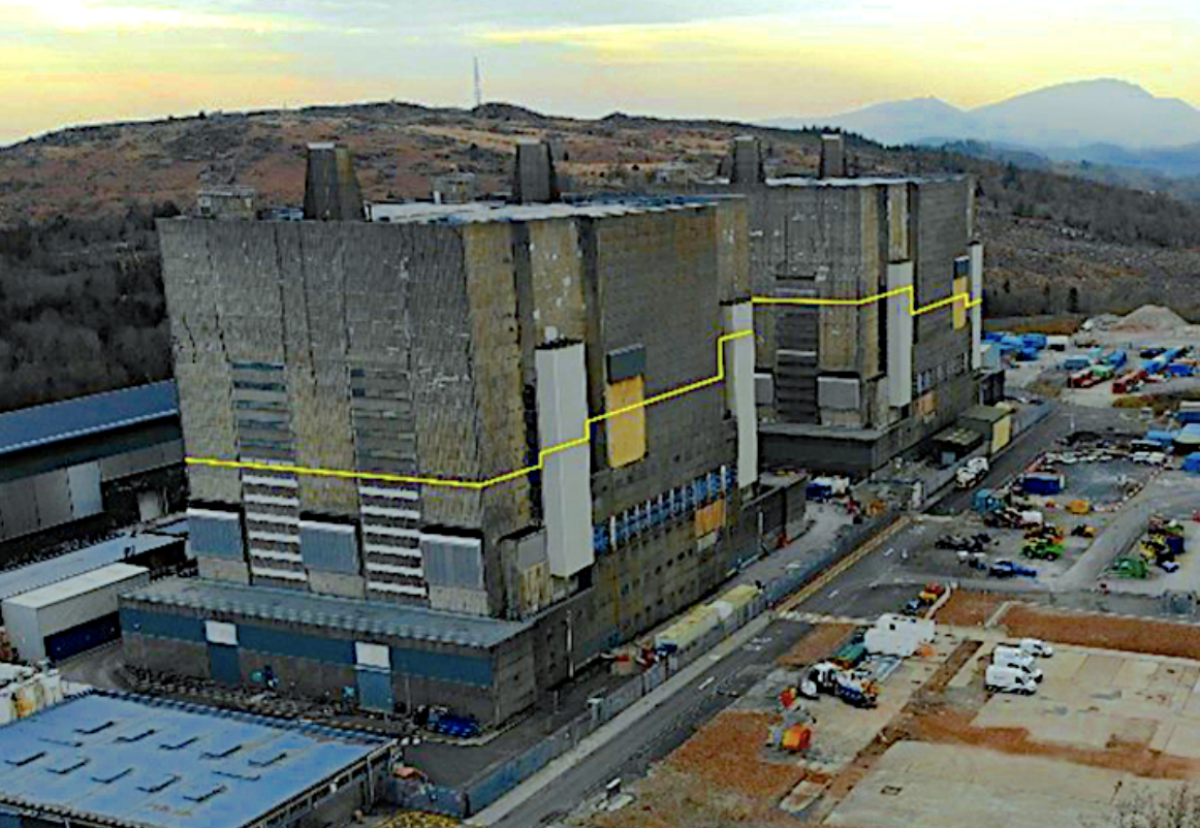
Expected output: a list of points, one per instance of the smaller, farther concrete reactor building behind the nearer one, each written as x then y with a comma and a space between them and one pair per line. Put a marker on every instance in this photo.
866, 345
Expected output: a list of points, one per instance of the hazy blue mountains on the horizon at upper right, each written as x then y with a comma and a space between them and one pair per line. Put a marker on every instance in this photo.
1103, 122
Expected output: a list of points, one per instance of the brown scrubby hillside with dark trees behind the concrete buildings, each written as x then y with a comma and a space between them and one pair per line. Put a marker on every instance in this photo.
81, 301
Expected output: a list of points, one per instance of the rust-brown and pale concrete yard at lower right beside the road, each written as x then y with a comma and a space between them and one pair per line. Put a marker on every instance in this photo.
1113, 716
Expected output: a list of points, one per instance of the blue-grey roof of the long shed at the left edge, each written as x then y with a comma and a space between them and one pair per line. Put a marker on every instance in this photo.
43, 425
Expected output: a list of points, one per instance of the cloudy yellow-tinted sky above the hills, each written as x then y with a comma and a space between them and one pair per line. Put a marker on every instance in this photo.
79, 62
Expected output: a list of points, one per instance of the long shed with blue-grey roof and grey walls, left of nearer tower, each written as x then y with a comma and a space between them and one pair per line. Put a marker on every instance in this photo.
80, 467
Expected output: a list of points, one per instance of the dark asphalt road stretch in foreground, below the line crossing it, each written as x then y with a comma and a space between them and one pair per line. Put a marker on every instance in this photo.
662, 731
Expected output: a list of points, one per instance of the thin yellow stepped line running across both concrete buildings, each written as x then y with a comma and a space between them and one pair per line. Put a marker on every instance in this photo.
477, 485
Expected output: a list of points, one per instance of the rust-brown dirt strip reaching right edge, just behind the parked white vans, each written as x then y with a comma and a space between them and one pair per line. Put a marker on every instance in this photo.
1135, 635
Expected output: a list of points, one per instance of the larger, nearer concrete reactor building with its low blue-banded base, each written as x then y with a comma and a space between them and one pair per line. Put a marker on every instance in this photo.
451, 454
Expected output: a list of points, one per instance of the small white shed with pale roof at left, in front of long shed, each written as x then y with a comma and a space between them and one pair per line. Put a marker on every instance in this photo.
70, 616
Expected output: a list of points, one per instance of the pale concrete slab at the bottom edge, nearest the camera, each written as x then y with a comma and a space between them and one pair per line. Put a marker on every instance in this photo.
938, 785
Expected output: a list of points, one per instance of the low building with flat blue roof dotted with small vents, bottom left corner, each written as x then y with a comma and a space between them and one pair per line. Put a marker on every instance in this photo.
117, 761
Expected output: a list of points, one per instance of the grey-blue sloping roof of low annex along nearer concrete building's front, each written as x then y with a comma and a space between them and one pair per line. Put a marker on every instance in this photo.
352, 615
